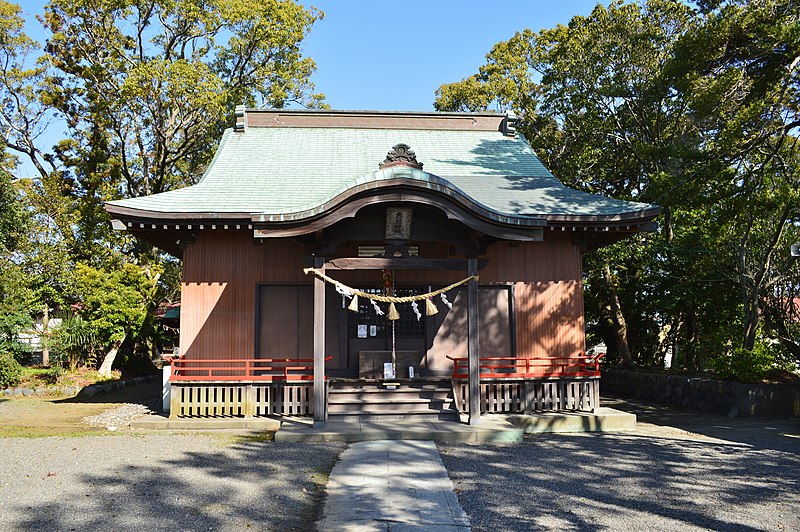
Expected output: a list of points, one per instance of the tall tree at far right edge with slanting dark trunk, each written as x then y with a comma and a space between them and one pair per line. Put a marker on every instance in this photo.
741, 72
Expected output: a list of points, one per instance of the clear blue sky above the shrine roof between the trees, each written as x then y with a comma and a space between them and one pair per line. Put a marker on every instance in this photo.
393, 55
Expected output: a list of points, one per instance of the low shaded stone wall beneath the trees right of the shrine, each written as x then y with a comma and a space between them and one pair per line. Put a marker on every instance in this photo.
722, 397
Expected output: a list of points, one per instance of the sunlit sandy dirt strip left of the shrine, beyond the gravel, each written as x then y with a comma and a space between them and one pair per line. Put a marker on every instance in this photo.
34, 417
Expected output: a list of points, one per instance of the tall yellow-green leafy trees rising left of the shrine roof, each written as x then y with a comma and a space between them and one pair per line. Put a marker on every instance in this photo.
145, 89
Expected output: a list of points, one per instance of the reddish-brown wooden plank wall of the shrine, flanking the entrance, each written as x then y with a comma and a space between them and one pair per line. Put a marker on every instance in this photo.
222, 269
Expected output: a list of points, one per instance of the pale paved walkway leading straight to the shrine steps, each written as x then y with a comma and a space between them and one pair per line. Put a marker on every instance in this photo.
391, 485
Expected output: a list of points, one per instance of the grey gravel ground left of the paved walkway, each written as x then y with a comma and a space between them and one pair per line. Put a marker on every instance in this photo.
129, 481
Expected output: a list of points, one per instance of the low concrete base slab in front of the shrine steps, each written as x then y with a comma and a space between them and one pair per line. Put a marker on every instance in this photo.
505, 428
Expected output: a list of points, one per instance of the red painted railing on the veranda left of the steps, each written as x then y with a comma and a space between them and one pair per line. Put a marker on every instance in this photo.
247, 369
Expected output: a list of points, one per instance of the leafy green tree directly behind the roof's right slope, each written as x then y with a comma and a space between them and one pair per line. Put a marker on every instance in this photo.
594, 103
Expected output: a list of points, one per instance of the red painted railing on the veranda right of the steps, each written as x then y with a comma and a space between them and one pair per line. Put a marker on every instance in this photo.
530, 368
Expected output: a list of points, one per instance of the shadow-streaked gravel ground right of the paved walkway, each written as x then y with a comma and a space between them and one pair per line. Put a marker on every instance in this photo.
657, 478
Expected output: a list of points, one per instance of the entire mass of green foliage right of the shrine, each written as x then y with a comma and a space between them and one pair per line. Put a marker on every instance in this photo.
695, 111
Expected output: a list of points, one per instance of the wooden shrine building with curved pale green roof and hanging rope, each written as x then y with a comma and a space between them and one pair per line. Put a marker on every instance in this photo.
317, 243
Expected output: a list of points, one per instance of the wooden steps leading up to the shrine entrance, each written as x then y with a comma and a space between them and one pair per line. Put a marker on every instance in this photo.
413, 400
